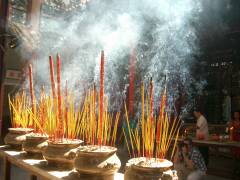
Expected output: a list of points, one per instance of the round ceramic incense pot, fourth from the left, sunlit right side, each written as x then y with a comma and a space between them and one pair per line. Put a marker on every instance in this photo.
100, 162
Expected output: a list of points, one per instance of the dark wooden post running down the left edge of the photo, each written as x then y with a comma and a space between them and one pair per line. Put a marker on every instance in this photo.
4, 10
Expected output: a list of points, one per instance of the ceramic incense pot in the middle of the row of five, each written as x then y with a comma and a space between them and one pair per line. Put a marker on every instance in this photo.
61, 154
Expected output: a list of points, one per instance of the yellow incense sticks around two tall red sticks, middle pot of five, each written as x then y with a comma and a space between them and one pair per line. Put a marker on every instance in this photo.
48, 115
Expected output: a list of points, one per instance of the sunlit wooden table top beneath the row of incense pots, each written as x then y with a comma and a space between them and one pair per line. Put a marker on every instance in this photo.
39, 167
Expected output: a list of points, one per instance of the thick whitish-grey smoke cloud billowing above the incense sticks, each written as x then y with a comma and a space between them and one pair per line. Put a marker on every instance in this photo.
162, 32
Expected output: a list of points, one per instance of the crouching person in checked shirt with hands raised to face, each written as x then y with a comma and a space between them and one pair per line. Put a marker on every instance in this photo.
189, 162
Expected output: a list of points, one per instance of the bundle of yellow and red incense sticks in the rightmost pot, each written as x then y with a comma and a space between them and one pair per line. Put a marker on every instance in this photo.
142, 140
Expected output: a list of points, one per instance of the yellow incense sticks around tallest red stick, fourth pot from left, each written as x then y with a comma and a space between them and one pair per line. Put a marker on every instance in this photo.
89, 124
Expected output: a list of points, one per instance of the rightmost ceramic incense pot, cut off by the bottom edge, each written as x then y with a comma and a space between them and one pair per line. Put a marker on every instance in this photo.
143, 168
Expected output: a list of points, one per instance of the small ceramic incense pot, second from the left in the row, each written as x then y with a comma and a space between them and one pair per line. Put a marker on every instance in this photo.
35, 143
